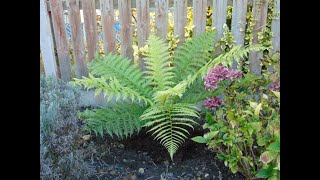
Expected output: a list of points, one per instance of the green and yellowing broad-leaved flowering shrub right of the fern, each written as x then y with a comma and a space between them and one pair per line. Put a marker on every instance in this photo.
245, 129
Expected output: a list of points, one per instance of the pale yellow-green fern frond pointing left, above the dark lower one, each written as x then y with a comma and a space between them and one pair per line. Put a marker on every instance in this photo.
112, 89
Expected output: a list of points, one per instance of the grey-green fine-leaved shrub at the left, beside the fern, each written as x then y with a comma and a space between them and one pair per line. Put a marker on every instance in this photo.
60, 157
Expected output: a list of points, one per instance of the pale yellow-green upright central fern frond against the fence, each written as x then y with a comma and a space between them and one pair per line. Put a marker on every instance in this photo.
158, 71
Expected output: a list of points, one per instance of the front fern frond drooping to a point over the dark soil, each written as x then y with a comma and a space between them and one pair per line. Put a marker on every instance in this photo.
169, 123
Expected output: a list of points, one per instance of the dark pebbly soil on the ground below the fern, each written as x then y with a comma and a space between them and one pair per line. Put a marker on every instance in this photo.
140, 157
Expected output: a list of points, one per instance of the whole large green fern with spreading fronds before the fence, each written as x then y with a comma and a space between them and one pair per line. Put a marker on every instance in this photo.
163, 97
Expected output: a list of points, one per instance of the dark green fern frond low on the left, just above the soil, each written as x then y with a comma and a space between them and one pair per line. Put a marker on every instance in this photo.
120, 120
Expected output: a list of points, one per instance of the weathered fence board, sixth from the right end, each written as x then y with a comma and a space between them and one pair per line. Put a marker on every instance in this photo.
180, 18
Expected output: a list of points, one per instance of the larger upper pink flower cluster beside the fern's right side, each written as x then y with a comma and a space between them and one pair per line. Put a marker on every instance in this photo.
218, 74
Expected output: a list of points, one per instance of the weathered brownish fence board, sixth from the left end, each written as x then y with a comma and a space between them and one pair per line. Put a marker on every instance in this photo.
126, 32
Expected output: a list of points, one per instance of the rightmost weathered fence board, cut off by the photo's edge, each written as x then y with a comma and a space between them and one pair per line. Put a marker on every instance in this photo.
275, 28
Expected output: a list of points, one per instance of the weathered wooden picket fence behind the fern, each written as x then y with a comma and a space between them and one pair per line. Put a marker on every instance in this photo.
53, 31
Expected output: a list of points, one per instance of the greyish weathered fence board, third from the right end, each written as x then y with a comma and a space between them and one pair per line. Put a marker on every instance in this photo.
238, 23
